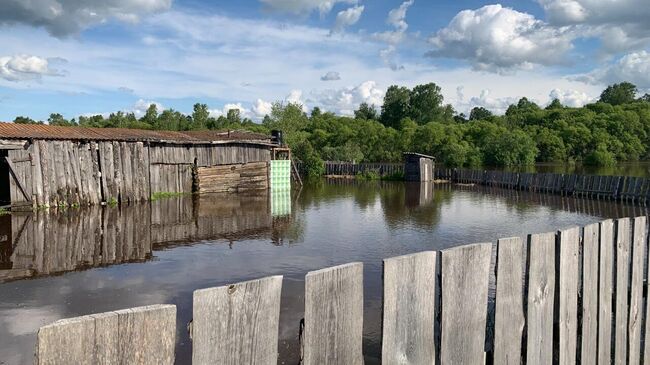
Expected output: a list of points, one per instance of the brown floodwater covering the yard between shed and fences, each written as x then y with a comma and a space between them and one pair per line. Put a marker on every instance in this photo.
77, 262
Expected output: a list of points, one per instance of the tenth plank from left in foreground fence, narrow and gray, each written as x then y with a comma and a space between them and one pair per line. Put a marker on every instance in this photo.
605, 296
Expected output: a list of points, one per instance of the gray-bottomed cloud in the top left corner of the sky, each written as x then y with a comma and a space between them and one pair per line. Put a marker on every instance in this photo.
65, 17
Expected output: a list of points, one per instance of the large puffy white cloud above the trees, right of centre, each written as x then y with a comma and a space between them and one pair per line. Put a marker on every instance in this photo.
499, 39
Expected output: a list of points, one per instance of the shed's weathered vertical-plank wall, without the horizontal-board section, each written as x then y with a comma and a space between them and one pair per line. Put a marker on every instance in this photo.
66, 173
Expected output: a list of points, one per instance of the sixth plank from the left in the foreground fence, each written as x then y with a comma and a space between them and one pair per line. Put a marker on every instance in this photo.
509, 319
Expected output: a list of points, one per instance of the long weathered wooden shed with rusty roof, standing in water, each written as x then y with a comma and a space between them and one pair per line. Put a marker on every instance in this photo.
42, 165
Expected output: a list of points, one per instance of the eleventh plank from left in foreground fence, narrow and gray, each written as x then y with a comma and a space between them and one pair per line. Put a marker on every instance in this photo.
621, 300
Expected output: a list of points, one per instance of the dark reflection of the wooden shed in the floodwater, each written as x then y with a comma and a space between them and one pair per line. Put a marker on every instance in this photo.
47, 243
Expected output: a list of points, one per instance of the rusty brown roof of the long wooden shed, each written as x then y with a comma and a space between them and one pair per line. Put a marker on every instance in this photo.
44, 131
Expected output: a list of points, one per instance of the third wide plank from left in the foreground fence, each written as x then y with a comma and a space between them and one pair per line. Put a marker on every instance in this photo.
334, 316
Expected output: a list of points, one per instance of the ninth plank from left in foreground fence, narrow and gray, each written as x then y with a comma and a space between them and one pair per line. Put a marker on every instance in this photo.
589, 309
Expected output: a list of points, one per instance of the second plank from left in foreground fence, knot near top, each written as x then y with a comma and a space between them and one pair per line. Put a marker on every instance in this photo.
237, 324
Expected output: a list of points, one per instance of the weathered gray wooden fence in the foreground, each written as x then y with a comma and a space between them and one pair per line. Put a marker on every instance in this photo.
567, 297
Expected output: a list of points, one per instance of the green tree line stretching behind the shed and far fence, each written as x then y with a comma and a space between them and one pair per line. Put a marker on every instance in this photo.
615, 128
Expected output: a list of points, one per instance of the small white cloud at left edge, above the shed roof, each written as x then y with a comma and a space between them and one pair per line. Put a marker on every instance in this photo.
24, 67
